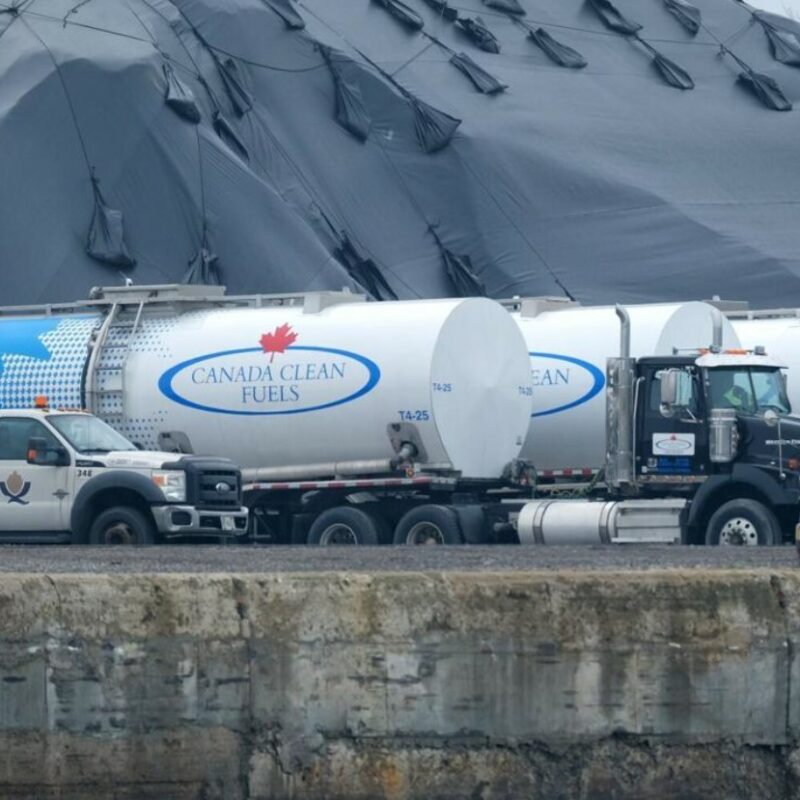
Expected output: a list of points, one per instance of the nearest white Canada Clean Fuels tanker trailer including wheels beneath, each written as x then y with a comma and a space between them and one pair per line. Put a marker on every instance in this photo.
353, 422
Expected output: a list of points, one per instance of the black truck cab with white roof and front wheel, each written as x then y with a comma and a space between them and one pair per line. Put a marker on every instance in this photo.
716, 428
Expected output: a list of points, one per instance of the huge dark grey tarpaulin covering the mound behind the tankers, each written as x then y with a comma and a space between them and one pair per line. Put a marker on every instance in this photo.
604, 182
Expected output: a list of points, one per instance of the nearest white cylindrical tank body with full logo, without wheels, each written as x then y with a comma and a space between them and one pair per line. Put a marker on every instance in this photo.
283, 386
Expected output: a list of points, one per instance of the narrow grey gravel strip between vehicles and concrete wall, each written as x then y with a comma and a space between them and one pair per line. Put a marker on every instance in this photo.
241, 558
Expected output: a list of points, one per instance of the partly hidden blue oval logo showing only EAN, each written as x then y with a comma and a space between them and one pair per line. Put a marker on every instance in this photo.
563, 380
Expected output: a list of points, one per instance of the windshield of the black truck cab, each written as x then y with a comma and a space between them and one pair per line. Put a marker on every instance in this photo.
747, 389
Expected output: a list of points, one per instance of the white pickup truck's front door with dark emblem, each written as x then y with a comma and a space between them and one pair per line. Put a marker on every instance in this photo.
33, 498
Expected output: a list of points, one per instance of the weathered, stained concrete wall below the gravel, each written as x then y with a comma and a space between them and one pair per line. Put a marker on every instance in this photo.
554, 684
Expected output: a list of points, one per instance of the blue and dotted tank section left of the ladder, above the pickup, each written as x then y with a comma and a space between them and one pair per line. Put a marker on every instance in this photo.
43, 356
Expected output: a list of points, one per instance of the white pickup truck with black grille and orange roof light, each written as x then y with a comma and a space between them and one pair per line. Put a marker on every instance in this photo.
66, 476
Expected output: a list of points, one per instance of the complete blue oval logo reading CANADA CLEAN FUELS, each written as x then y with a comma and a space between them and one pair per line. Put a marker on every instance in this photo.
248, 382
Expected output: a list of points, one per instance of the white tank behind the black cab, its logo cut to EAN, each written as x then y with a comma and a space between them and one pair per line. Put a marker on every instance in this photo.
568, 349
